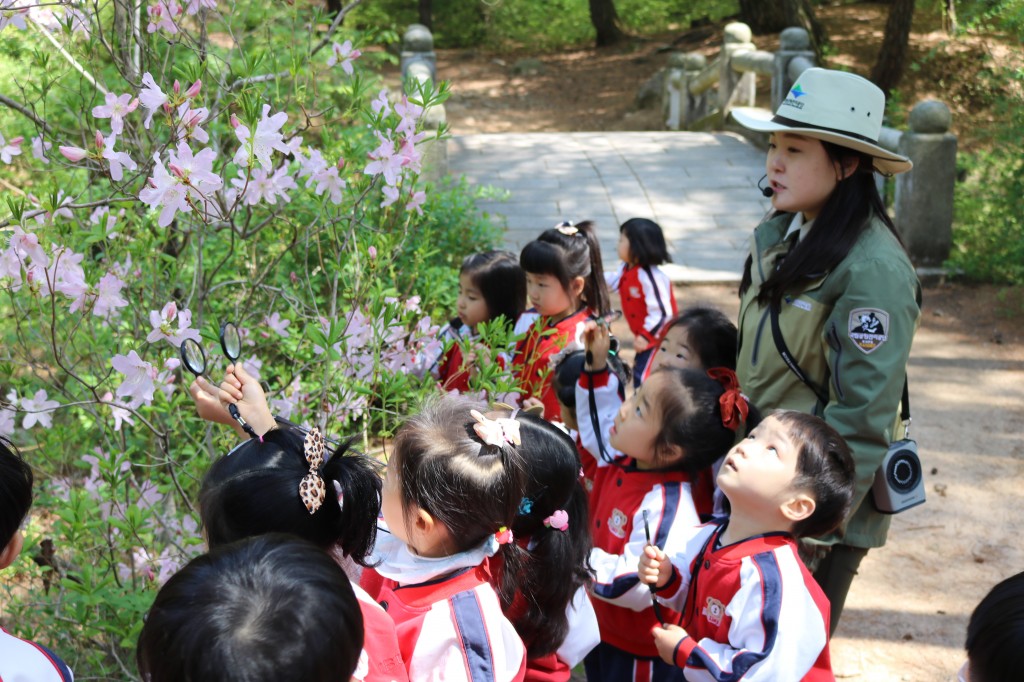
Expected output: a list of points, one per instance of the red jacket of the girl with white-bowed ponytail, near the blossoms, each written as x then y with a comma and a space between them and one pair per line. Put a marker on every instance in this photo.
532, 359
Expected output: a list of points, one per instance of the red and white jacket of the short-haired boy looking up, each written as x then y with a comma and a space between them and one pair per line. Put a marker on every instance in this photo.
753, 612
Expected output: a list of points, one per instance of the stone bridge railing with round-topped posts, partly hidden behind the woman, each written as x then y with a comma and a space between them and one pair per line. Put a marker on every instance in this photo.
698, 96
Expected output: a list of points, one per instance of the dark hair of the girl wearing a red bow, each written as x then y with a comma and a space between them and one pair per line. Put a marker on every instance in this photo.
700, 431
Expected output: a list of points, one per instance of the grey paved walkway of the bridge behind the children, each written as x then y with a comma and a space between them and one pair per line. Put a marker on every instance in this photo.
701, 188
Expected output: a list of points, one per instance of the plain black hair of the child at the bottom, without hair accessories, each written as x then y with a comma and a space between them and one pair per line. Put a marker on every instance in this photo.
267, 609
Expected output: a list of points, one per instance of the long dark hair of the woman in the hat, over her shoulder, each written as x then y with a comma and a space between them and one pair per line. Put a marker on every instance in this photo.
844, 219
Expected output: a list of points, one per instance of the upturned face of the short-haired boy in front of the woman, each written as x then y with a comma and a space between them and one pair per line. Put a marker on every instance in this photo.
758, 473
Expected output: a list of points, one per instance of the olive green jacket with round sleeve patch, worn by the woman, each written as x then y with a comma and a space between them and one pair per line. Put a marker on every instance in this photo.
849, 330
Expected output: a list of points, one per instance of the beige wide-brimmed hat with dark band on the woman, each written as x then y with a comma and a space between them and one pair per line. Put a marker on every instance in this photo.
832, 106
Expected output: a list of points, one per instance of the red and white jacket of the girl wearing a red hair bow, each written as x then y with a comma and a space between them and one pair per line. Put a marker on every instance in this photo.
620, 497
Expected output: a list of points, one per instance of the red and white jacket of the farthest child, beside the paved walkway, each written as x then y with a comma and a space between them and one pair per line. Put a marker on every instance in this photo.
649, 302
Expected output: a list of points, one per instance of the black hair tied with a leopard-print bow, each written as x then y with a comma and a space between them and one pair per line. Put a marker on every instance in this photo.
255, 490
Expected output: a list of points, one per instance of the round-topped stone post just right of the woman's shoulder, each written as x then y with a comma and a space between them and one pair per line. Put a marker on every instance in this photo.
924, 198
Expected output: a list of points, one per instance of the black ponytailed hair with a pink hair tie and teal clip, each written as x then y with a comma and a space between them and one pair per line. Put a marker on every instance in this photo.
559, 561
